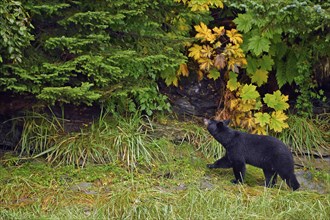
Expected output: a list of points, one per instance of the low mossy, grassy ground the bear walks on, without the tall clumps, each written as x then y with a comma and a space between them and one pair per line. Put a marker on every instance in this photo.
180, 187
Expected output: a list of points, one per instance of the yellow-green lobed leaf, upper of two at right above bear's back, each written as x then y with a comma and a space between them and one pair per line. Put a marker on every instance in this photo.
277, 101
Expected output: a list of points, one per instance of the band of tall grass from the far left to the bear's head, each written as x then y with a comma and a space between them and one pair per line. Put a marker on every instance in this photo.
133, 140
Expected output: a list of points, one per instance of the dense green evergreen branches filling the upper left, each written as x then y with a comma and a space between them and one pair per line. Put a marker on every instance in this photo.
108, 51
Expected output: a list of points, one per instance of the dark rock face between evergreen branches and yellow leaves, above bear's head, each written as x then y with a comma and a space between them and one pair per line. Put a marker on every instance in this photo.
195, 98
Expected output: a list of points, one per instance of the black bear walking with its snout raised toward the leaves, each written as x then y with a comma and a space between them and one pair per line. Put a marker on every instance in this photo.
265, 152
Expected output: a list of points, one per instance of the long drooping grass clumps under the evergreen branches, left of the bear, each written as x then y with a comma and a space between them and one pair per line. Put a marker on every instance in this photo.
106, 140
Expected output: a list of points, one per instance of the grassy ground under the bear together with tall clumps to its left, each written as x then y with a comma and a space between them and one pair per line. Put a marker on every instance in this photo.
148, 171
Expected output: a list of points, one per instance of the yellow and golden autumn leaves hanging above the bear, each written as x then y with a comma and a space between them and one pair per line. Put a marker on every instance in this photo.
218, 51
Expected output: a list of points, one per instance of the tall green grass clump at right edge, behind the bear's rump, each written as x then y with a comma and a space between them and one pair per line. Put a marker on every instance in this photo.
308, 136
